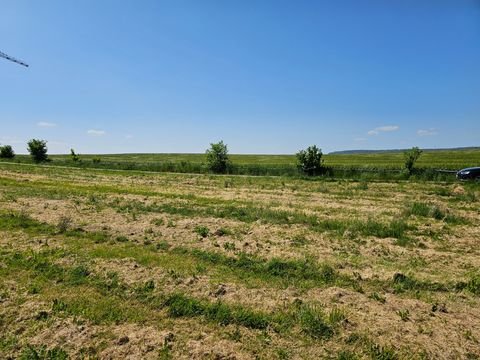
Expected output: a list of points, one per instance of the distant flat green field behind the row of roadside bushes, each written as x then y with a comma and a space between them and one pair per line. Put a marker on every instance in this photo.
271, 164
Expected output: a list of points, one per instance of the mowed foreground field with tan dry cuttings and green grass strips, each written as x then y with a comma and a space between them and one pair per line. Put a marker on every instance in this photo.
124, 264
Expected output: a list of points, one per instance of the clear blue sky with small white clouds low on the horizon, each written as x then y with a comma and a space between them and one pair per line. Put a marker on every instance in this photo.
110, 76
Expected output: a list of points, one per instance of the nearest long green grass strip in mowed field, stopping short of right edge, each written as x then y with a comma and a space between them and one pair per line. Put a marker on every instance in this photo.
45, 273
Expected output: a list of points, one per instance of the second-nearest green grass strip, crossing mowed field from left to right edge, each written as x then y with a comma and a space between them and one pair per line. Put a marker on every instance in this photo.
299, 272
